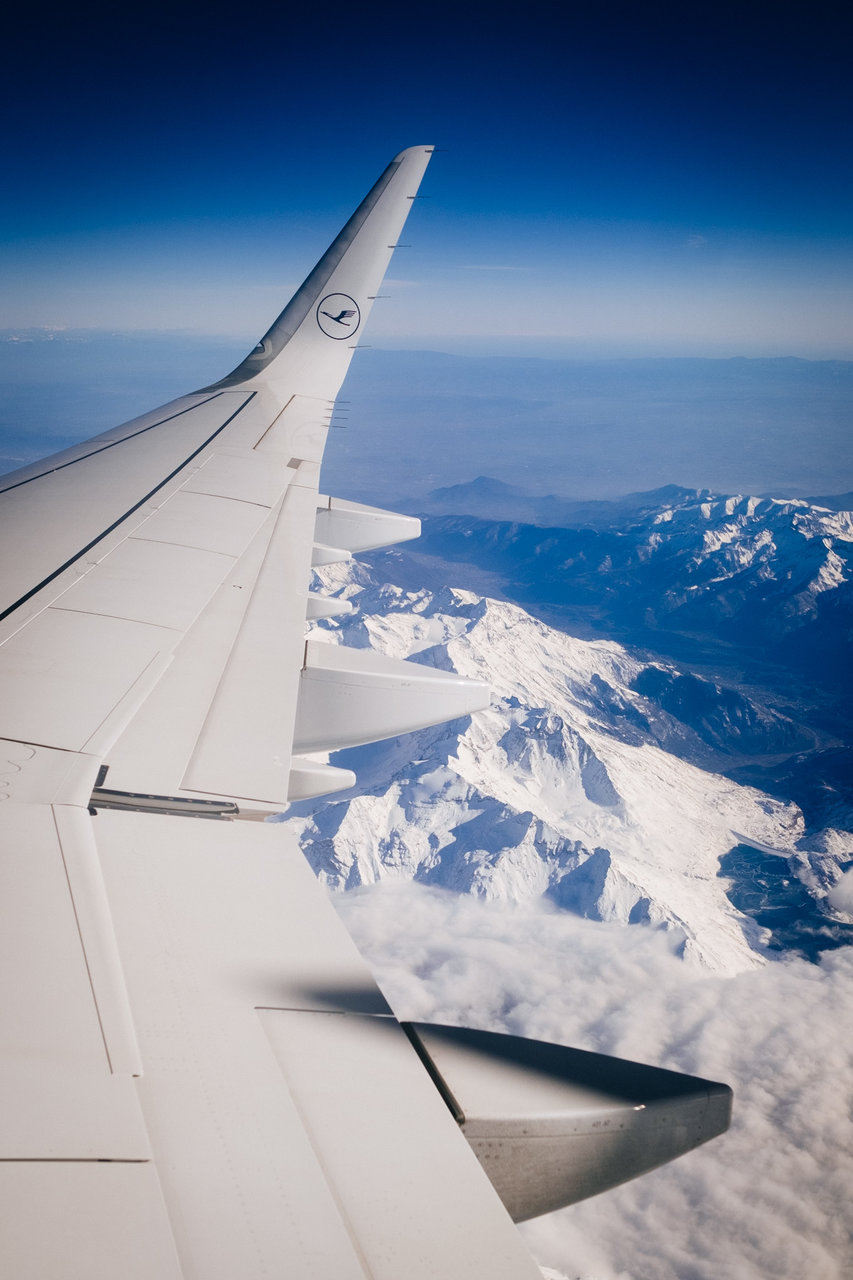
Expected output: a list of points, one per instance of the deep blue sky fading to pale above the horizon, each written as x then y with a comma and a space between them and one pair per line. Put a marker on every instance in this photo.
637, 181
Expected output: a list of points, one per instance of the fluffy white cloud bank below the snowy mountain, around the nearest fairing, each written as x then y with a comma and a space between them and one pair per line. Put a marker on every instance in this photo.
768, 1200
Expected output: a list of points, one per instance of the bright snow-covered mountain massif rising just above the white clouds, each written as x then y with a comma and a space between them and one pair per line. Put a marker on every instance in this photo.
568, 789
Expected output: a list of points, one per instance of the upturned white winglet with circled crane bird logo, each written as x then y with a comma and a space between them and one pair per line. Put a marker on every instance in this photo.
326, 317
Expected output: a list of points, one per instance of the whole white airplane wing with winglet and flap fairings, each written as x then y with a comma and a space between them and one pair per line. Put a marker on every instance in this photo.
199, 1076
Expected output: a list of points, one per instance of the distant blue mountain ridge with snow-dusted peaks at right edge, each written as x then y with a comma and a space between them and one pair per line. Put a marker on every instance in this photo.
758, 580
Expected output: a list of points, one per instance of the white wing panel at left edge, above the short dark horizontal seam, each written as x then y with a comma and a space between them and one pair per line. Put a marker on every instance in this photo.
69, 1104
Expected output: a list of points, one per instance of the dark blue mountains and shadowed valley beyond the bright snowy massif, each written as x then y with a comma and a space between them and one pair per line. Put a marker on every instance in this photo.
752, 598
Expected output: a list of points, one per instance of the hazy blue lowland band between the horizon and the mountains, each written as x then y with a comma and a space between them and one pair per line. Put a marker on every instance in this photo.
417, 420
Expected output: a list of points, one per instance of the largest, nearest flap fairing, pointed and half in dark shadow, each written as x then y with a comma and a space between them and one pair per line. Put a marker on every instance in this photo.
554, 1126
